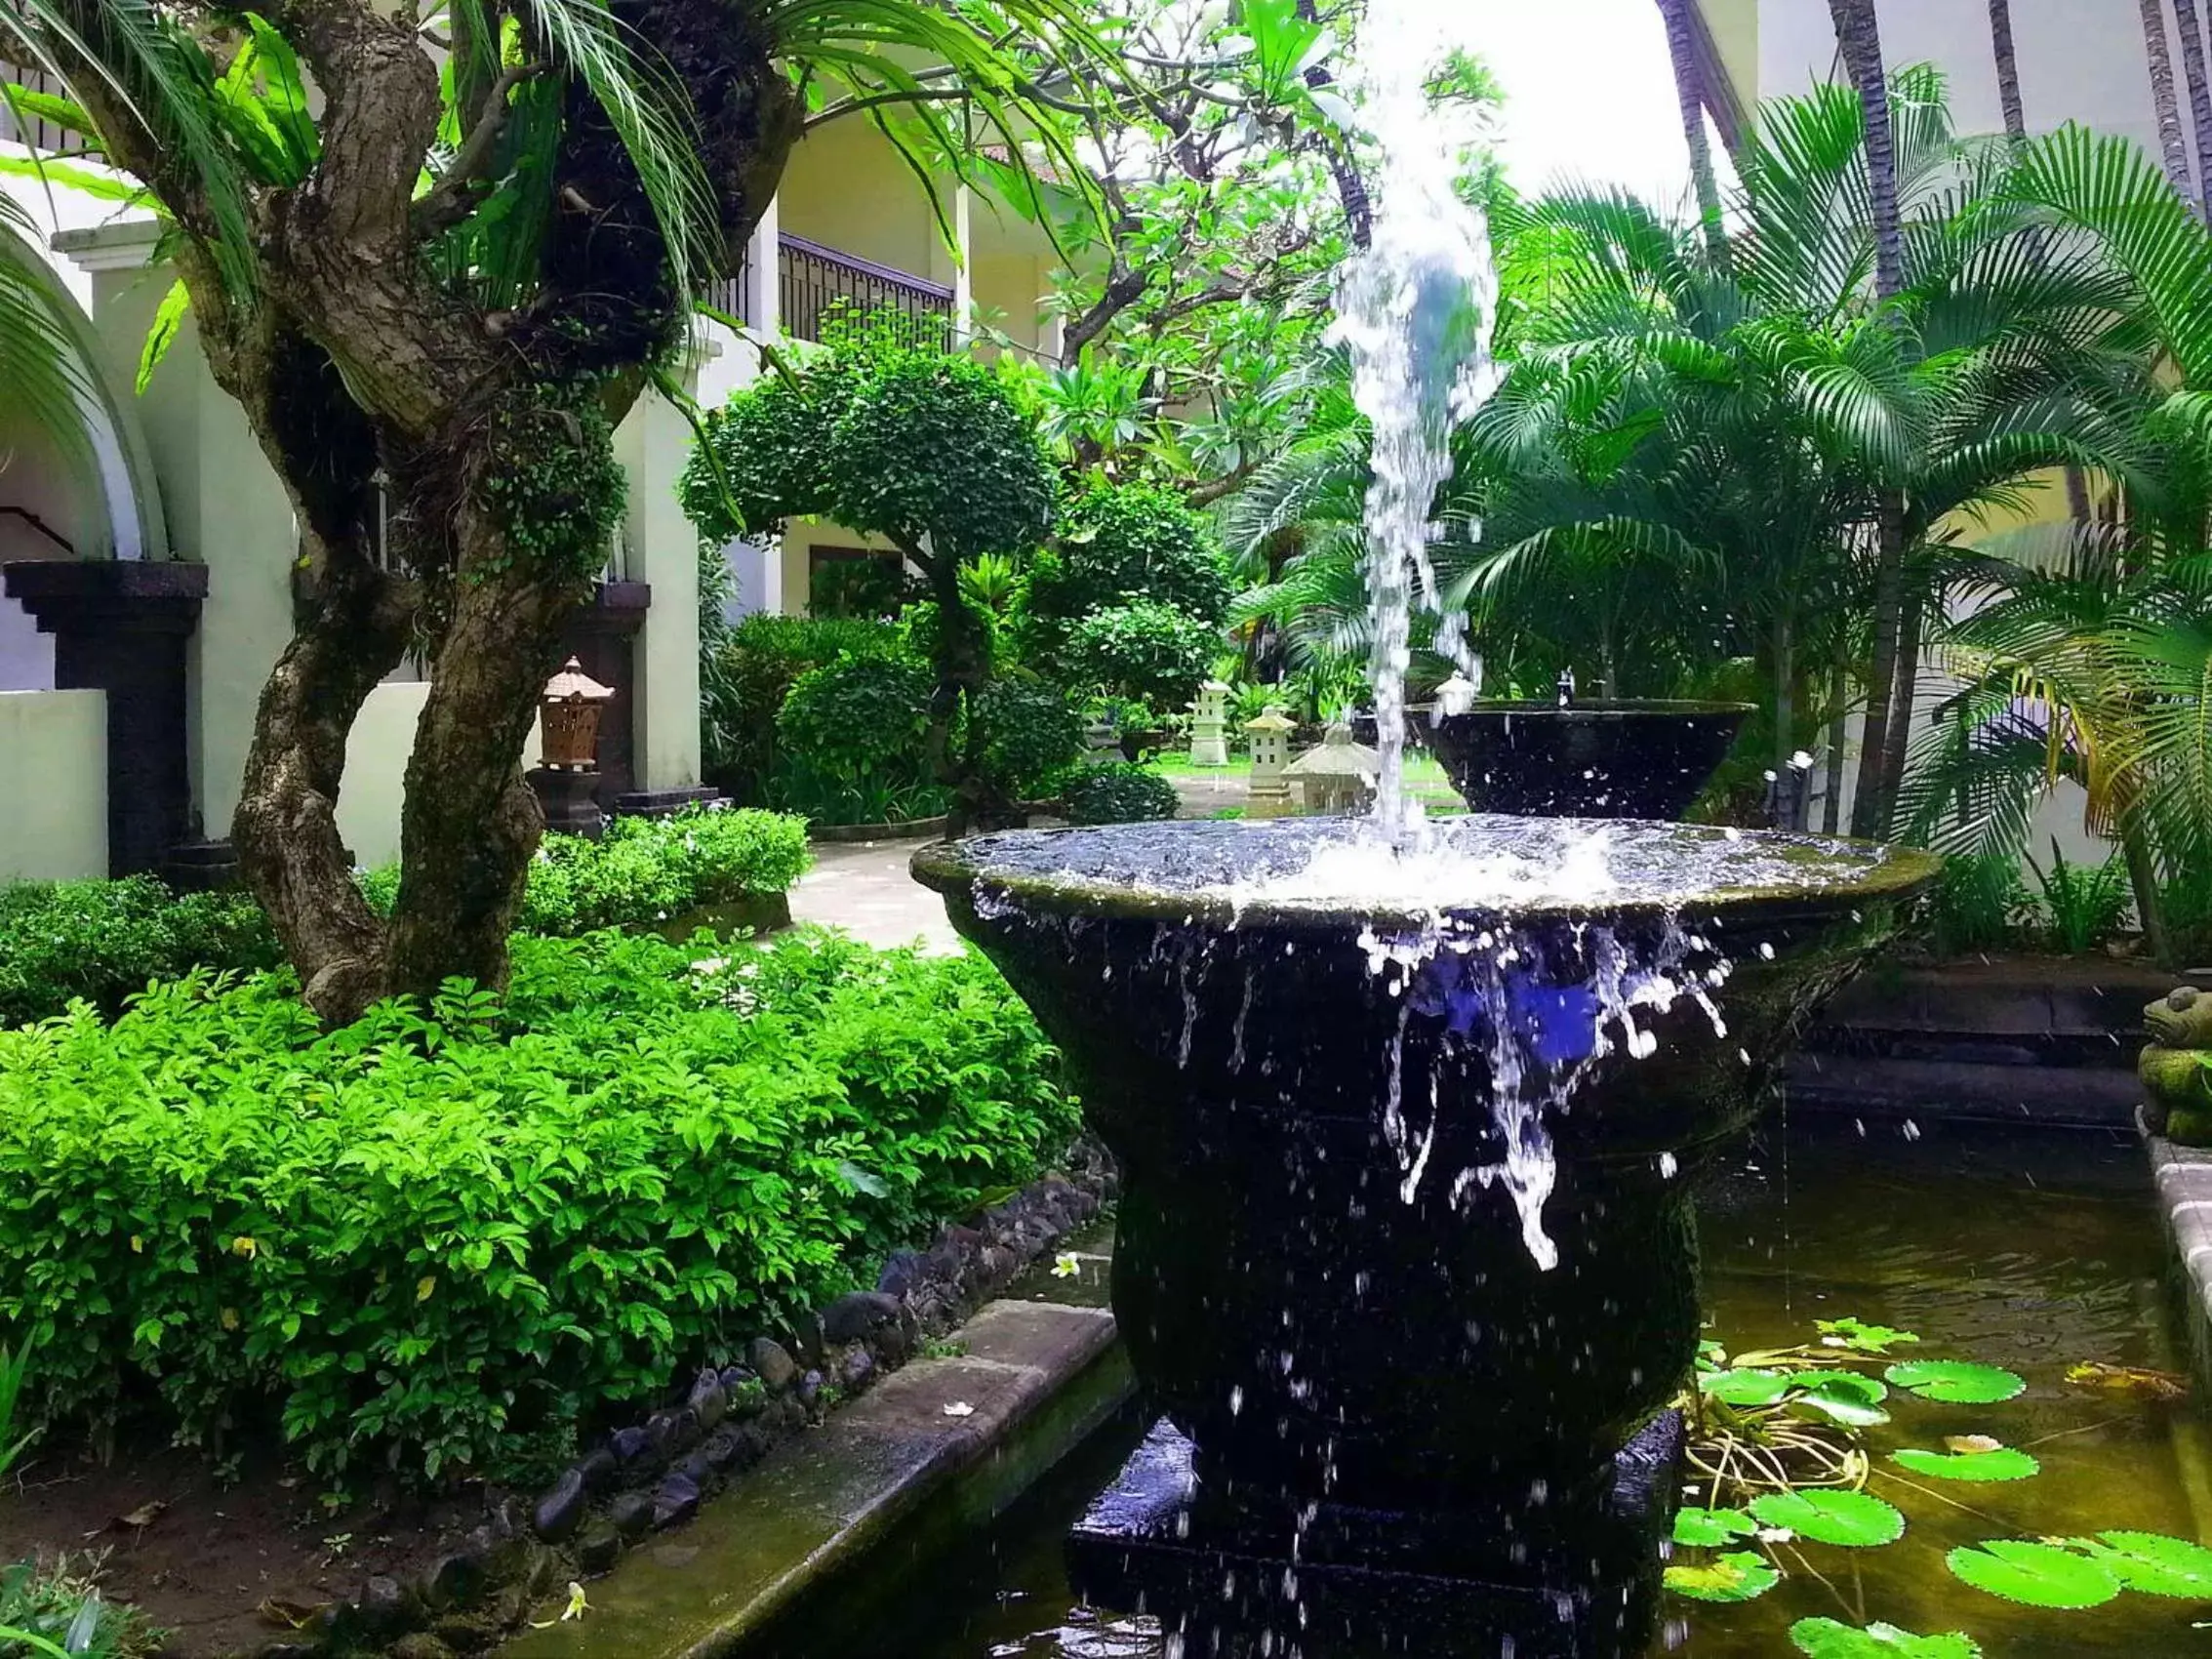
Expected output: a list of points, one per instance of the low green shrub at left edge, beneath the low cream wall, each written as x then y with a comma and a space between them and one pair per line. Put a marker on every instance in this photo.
109, 939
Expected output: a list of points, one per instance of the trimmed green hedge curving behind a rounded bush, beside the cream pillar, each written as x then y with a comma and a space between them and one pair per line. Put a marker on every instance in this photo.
744, 680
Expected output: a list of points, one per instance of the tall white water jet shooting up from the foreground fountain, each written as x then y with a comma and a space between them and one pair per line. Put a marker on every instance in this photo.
1415, 313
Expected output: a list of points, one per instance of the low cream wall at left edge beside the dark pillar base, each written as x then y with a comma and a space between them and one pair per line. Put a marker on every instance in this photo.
54, 786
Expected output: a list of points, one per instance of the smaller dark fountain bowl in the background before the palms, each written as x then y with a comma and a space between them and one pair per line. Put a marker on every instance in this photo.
1607, 760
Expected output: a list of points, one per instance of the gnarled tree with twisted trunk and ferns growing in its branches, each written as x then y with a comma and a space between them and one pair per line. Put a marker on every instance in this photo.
585, 174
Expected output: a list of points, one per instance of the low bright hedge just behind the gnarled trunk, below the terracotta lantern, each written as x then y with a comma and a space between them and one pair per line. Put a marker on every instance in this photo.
647, 870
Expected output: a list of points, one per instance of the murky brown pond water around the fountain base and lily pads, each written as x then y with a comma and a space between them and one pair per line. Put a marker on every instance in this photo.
2032, 1253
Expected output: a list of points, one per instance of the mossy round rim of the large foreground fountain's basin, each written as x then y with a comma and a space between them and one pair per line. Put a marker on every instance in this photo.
952, 868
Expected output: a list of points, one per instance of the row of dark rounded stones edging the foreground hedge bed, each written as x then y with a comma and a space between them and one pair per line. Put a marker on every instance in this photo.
654, 1477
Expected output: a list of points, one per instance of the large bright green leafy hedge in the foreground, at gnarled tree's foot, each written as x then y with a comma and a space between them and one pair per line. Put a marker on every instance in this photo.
446, 1238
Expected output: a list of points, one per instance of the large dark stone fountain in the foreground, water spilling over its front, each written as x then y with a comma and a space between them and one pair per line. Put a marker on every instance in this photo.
1408, 1142
